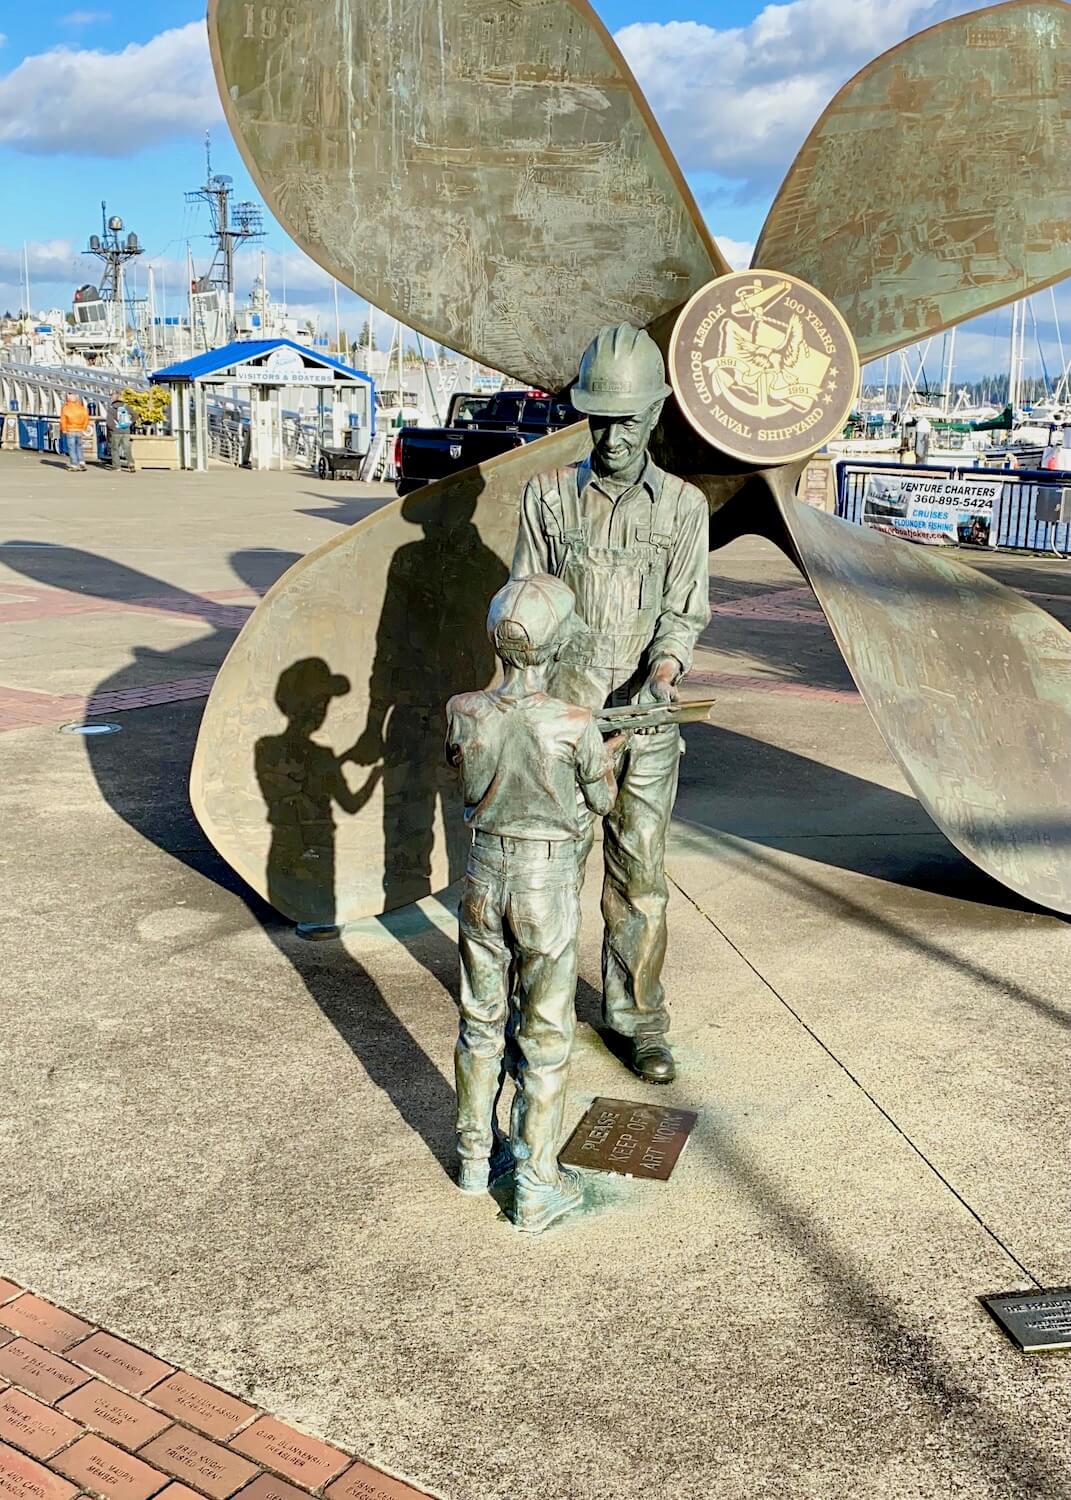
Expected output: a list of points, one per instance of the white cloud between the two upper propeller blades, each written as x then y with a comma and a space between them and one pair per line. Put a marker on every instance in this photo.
740, 101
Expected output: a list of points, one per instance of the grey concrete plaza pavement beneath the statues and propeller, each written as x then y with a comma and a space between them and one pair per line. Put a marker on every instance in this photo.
233, 1148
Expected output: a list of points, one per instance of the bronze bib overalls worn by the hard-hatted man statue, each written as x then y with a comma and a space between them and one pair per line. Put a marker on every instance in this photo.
620, 598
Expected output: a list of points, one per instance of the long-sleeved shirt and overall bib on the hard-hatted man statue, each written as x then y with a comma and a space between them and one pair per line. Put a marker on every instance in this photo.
635, 560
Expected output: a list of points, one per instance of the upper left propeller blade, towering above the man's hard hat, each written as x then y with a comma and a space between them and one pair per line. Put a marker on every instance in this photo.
490, 175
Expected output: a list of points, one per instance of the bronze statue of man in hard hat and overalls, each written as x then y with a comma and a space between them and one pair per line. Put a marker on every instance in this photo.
632, 544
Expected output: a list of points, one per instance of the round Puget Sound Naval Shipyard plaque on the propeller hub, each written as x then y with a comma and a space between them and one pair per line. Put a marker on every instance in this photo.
764, 367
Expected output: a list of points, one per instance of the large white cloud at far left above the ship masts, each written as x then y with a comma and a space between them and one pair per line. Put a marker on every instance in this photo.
89, 103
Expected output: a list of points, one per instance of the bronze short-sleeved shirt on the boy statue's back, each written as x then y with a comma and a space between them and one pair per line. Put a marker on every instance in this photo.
523, 763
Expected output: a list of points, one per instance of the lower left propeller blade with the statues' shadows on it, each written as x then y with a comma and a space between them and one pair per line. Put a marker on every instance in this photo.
368, 637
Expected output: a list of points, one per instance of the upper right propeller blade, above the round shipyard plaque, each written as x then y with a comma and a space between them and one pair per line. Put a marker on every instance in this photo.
935, 187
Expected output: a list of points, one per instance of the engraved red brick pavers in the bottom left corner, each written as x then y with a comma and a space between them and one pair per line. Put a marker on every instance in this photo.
88, 1414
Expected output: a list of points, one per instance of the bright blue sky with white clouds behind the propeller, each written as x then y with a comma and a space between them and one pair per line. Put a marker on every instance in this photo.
113, 104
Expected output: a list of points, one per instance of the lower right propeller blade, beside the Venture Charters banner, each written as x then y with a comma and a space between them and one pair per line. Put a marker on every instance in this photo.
968, 682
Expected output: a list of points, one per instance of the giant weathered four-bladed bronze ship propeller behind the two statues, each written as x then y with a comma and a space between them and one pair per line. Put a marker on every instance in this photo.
491, 175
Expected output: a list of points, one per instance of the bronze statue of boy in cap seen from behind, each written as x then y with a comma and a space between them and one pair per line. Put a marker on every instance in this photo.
527, 764
